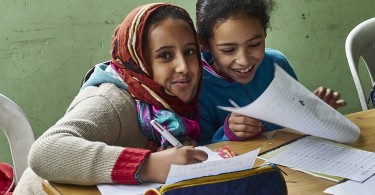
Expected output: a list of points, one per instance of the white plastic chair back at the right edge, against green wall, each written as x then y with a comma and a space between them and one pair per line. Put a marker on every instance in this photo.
361, 43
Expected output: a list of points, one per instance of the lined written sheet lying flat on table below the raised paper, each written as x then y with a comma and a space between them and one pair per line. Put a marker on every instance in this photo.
327, 157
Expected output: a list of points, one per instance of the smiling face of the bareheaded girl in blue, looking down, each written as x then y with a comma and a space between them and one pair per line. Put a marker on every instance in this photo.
238, 46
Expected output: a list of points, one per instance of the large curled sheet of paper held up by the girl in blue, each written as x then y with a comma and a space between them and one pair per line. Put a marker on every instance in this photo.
289, 104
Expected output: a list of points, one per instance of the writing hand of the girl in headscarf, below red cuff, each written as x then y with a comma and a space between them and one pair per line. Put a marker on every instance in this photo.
155, 167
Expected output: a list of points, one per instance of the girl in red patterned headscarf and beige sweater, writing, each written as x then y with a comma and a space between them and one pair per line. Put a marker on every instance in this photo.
156, 61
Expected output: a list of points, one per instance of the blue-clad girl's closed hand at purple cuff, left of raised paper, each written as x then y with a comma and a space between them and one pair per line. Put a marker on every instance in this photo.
243, 126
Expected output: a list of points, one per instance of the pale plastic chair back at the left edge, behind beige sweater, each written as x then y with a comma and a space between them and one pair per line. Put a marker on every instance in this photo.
19, 133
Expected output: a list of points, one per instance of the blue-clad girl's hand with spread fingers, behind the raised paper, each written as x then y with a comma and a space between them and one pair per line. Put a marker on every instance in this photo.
331, 97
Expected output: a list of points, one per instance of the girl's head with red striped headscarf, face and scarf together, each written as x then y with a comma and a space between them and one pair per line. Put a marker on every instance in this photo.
163, 77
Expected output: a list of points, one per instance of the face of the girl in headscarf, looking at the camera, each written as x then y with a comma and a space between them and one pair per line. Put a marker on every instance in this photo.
172, 53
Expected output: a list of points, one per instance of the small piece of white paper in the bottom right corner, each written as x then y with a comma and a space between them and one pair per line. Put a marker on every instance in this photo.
353, 187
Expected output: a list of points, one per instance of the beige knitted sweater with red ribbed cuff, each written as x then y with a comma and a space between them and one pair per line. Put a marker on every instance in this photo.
89, 144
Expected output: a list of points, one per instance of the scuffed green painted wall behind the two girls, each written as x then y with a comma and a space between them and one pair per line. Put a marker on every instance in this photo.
46, 46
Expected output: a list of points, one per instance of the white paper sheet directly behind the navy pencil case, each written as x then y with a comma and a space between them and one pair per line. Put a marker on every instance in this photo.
238, 163
